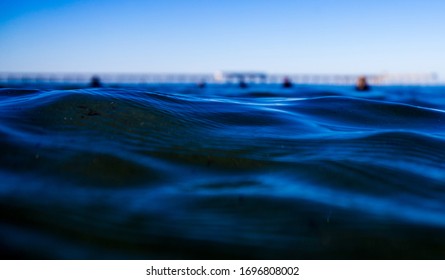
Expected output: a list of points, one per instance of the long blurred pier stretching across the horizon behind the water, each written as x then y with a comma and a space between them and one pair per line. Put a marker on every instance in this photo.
110, 79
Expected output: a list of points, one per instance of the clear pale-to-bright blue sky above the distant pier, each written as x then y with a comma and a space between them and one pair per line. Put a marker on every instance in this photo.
276, 36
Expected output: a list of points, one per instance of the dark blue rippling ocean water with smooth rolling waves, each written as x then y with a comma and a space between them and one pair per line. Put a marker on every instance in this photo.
179, 172
